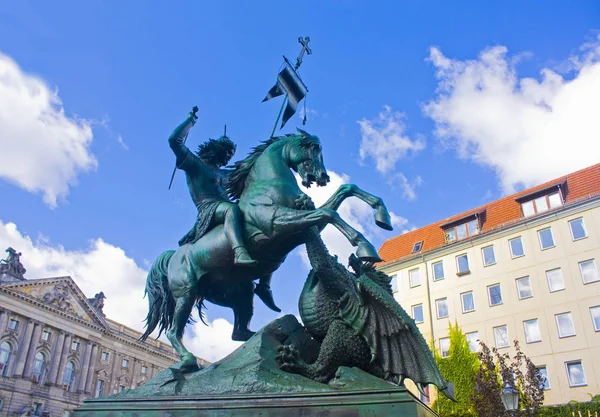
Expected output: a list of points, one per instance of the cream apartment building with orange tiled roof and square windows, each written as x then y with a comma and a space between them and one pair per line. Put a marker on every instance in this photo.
521, 268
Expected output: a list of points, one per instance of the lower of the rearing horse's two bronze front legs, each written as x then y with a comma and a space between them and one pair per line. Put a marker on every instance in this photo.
289, 221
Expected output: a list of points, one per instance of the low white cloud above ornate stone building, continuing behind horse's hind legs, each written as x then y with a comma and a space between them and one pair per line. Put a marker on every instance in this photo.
105, 267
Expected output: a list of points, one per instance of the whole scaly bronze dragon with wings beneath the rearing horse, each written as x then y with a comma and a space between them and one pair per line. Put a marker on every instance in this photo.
358, 323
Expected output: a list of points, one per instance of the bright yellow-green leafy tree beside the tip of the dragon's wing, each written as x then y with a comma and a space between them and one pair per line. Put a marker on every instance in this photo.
460, 368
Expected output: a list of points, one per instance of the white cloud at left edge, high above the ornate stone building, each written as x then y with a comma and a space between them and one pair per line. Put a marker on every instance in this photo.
42, 149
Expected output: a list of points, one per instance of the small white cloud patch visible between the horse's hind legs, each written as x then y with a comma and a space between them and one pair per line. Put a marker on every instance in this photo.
212, 342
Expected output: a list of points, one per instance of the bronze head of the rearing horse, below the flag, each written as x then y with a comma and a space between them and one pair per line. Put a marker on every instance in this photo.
307, 160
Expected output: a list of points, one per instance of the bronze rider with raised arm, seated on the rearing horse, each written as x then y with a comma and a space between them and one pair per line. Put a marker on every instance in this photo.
206, 182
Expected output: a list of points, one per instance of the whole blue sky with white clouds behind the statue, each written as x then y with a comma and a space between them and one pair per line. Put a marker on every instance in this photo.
437, 107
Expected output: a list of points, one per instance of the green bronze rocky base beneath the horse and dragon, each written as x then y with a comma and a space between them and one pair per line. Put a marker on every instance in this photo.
248, 382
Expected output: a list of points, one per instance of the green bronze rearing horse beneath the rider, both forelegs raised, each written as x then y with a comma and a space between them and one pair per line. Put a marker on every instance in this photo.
276, 215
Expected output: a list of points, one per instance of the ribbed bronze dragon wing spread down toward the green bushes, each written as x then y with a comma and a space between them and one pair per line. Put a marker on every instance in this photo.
396, 343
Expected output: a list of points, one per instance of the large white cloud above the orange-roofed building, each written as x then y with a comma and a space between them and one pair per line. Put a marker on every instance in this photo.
527, 130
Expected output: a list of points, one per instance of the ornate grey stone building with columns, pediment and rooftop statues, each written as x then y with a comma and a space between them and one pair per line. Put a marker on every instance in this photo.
57, 347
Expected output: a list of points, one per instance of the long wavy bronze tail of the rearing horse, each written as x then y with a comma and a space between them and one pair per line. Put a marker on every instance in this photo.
161, 304
